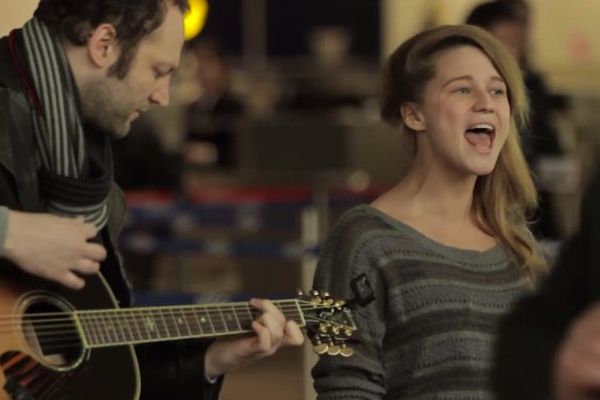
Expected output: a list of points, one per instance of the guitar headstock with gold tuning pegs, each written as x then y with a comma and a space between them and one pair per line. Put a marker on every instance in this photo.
329, 323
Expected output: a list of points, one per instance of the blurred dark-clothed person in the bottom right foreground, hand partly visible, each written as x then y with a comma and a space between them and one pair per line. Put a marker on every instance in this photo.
549, 345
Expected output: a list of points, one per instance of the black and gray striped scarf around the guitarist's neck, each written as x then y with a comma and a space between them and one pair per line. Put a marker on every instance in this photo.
72, 181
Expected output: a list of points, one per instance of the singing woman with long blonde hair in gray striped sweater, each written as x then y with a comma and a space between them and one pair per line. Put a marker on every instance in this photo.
446, 250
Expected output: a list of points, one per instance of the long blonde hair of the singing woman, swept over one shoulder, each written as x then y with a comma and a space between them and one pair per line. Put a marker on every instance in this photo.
503, 198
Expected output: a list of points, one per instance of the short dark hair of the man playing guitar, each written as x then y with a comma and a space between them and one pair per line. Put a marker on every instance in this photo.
72, 20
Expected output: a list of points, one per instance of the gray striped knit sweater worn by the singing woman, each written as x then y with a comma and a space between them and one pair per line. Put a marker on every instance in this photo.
429, 332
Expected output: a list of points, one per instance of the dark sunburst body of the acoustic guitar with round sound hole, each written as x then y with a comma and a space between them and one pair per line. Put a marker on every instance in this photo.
62, 368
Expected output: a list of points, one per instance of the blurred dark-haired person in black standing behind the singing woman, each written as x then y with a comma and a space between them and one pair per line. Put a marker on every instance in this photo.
508, 20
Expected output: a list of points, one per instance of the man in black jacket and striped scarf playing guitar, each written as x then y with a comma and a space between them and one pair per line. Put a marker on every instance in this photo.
77, 74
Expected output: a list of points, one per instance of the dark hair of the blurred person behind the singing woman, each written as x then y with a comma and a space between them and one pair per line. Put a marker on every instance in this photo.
489, 13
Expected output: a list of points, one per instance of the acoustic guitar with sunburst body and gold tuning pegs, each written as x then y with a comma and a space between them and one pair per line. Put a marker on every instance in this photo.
57, 343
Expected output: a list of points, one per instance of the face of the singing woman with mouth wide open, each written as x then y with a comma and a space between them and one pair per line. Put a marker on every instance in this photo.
464, 118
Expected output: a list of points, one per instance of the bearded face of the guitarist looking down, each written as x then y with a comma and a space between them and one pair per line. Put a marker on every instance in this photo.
111, 104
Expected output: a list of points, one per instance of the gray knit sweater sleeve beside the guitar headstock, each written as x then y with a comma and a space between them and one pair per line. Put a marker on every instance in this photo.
343, 259
